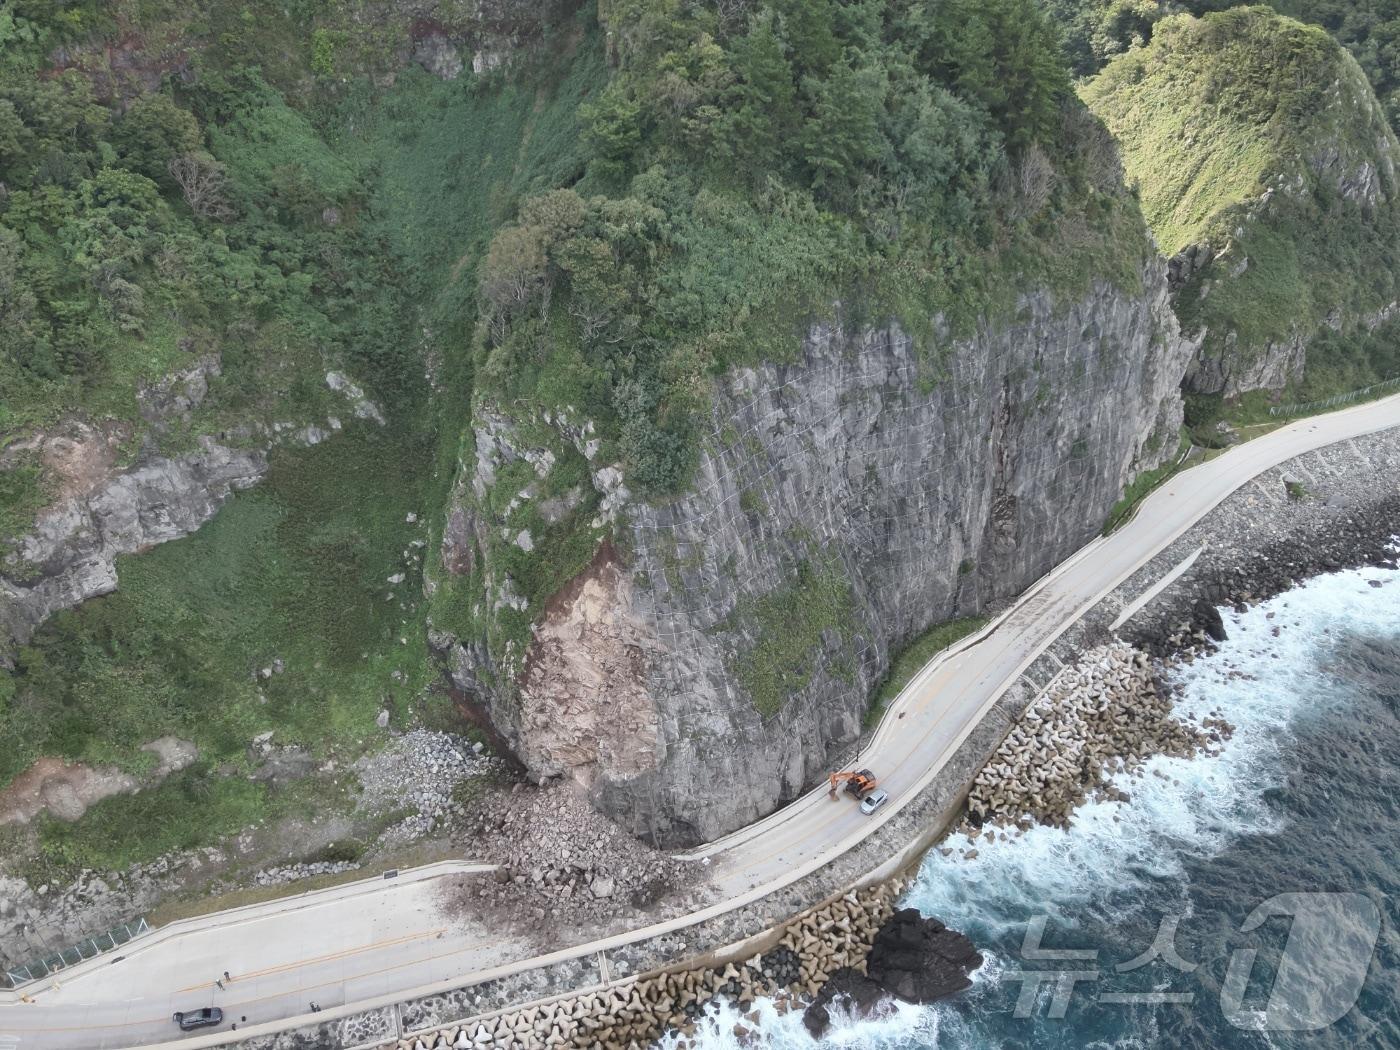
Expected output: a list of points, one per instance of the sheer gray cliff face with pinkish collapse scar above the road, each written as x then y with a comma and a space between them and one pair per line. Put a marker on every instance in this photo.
716, 653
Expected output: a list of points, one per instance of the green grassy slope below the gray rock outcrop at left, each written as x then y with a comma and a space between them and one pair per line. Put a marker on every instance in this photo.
296, 569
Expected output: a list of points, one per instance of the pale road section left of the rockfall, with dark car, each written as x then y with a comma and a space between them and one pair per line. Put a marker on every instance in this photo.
331, 947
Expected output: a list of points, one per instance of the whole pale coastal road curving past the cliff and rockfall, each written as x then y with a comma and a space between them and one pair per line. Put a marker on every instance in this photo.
411, 950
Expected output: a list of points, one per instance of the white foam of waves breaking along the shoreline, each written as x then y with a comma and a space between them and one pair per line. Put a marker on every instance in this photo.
1178, 808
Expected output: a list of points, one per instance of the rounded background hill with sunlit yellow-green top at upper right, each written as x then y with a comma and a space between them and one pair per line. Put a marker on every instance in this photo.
1268, 173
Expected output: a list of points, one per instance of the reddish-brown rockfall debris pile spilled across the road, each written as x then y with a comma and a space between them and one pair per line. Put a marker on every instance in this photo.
562, 857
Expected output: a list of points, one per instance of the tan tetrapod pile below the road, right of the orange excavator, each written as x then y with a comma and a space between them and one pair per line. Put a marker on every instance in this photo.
1098, 717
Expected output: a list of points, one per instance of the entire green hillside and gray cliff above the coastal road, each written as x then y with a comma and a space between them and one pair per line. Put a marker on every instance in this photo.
345, 345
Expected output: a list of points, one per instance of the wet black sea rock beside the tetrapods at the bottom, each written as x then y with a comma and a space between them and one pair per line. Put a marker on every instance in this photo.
915, 960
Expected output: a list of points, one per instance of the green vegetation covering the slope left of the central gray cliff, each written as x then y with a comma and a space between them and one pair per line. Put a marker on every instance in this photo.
289, 233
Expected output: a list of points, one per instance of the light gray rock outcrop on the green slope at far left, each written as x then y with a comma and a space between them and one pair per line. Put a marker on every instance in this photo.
71, 555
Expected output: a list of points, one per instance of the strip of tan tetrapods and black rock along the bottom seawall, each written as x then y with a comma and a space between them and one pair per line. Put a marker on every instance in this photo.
834, 939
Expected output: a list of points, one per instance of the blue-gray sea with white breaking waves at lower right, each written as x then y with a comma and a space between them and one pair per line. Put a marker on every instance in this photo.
1294, 829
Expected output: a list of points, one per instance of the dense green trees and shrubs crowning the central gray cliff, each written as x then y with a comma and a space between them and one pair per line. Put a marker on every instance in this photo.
748, 174
